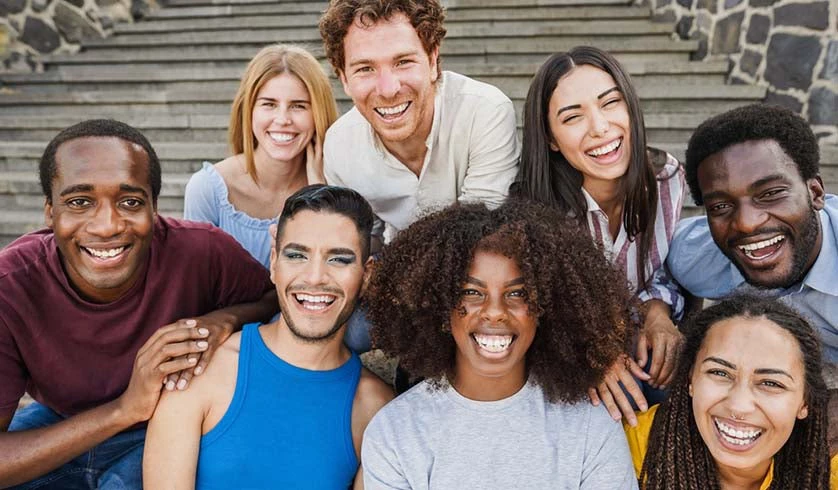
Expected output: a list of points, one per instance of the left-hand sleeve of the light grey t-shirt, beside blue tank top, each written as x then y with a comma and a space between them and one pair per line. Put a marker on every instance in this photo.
379, 460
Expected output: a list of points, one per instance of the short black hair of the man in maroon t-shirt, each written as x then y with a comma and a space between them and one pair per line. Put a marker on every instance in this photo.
96, 128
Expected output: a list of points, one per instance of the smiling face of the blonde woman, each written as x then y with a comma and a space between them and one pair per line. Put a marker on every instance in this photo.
282, 119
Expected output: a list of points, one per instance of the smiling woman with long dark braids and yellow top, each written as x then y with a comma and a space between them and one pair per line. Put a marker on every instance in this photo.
747, 408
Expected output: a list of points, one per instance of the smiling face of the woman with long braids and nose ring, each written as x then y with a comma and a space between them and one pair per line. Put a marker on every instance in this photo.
747, 389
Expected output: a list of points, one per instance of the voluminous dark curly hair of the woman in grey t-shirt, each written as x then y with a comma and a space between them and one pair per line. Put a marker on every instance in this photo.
580, 301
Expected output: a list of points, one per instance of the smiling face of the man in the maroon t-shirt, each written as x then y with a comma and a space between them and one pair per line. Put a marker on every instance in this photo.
102, 215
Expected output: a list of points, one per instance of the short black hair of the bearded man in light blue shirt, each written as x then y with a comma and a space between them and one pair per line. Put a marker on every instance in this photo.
749, 123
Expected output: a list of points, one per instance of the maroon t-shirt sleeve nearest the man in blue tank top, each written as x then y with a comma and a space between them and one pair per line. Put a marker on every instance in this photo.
239, 277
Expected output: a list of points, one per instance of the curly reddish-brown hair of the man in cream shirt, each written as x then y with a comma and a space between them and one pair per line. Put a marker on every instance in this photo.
426, 16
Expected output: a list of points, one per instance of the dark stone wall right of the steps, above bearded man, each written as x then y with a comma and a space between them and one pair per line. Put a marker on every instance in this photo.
789, 46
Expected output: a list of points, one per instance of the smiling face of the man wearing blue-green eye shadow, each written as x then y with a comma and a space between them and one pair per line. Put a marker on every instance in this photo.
318, 273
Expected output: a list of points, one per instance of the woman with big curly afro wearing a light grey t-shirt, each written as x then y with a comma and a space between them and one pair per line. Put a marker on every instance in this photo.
509, 315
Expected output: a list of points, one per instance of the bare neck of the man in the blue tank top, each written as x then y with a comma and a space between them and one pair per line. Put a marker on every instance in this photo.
315, 356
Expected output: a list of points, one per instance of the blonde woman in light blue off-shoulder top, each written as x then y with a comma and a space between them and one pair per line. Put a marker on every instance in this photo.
279, 117
